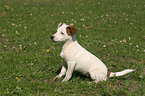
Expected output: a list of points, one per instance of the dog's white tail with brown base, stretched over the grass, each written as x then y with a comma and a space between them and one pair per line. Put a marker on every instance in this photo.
112, 74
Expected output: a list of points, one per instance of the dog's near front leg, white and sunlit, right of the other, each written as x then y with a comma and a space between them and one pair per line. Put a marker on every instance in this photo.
69, 72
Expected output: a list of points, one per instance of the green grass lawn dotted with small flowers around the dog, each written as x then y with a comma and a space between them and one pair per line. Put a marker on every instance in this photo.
113, 30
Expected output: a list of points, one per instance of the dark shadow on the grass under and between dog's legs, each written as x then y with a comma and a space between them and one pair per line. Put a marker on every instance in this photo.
75, 74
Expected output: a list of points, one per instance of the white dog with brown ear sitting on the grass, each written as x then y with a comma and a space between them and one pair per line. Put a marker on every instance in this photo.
75, 57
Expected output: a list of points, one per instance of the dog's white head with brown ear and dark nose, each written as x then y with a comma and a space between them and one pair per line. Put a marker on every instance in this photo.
64, 32
